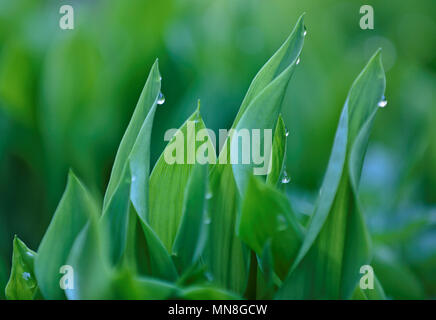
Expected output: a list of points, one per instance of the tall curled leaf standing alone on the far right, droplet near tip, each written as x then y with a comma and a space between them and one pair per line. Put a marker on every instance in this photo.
337, 243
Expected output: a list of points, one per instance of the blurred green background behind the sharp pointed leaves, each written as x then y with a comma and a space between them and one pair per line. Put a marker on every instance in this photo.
66, 97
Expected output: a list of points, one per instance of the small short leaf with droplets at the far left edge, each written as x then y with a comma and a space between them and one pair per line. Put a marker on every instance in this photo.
22, 284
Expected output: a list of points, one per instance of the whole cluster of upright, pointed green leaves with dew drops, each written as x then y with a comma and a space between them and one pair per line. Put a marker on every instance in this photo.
213, 231
